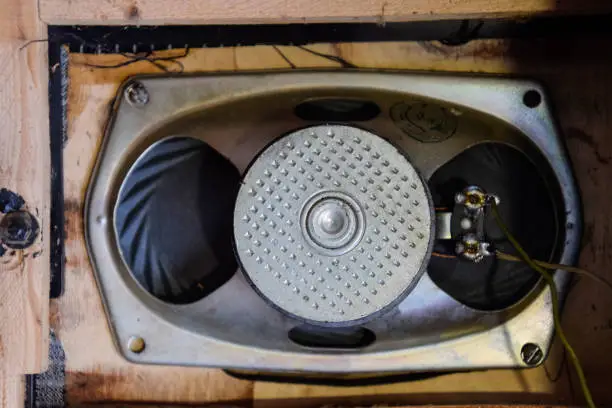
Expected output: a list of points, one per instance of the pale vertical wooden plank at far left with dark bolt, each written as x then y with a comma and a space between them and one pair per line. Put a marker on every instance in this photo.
24, 169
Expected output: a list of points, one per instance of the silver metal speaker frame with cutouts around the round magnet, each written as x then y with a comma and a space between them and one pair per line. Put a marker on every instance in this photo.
432, 118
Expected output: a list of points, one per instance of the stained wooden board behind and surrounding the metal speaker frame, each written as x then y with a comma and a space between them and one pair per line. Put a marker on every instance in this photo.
578, 76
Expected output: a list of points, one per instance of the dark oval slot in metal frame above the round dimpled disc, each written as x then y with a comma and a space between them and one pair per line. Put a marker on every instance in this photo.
337, 110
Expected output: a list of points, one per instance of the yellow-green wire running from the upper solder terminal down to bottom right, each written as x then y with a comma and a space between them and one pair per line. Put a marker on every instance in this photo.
555, 304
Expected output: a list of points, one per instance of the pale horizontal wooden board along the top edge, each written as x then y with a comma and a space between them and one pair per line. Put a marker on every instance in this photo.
300, 11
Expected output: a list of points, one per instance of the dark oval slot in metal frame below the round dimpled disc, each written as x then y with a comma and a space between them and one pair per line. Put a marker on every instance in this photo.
331, 338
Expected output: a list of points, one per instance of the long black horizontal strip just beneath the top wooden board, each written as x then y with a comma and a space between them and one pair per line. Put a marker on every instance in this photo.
141, 38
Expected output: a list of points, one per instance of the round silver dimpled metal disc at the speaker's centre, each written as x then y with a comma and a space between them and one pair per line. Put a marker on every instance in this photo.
333, 225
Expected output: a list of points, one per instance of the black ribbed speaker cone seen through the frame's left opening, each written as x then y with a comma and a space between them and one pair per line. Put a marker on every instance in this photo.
174, 220
